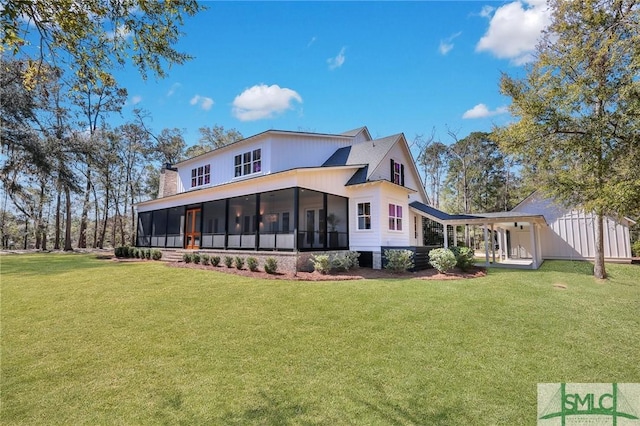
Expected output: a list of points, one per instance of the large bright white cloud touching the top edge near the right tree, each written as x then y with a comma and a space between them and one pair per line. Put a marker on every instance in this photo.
515, 29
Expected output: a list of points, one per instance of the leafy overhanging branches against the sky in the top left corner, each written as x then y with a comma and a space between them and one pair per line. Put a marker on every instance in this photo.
98, 34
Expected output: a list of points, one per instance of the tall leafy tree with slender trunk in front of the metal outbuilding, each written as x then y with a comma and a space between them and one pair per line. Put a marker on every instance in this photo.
579, 110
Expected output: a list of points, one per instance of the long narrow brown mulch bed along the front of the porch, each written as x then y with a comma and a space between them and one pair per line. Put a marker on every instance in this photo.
354, 274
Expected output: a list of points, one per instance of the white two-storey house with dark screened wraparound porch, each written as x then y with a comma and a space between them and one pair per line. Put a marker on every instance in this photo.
282, 191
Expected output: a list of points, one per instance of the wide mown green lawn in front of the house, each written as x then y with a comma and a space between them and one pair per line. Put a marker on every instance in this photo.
88, 341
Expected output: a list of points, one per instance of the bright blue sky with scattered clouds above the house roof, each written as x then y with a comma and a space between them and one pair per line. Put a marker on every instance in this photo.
329, 67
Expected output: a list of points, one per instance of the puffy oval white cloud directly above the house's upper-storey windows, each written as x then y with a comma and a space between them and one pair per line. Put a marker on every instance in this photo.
262, 101
